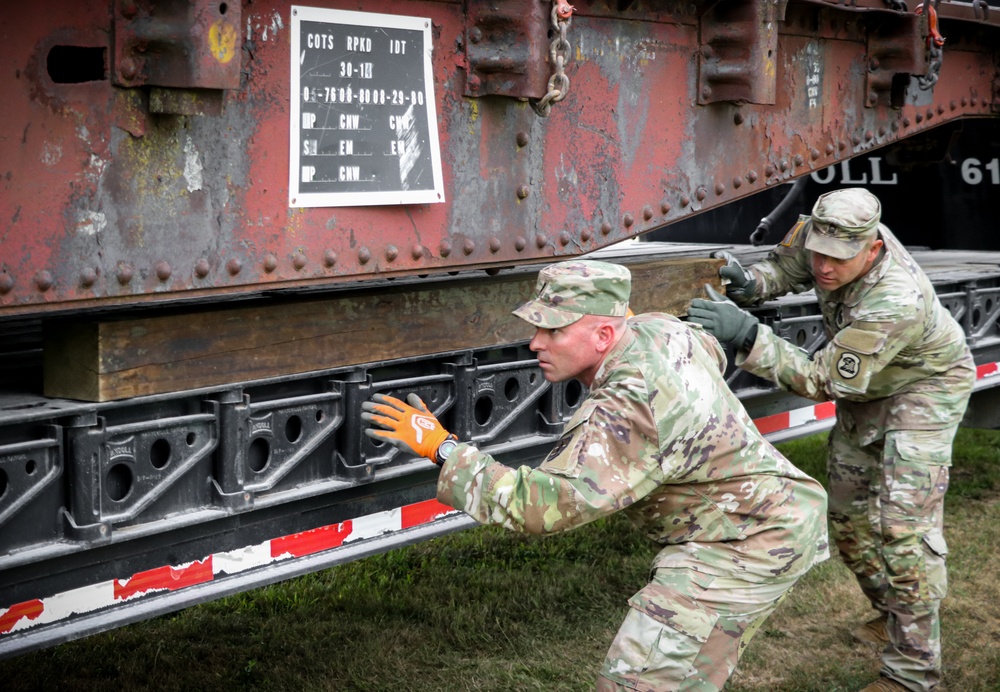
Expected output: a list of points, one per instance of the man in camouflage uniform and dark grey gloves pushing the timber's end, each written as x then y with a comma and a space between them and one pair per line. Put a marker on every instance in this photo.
897, 364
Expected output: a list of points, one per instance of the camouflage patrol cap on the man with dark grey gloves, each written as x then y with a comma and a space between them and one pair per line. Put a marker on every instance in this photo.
843, 221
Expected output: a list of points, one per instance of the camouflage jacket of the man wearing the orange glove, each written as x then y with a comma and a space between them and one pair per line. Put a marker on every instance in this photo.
661, 437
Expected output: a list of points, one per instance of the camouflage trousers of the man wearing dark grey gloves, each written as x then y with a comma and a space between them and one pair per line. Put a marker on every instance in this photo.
886, 514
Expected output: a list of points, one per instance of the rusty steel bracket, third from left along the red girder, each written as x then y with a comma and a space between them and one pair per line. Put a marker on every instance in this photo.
739, 46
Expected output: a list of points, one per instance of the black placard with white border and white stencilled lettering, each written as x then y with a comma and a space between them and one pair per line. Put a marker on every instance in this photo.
363, 125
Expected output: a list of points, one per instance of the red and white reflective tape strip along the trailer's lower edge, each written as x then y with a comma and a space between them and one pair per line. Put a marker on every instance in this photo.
86, 599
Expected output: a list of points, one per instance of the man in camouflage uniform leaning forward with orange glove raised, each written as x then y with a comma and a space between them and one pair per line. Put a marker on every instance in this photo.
661, 437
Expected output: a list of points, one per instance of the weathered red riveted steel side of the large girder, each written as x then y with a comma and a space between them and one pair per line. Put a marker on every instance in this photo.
104, 202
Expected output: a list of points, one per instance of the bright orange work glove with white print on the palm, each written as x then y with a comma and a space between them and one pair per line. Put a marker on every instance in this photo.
408, 427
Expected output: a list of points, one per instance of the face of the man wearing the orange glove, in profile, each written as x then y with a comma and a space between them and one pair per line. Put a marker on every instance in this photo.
569, 352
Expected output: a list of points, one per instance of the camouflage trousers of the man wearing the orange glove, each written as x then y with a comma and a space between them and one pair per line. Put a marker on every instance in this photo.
686, 630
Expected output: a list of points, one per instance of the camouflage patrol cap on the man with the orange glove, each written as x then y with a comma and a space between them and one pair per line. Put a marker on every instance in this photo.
567, 291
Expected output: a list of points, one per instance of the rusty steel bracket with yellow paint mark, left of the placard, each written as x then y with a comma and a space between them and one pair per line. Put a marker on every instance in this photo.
187, 45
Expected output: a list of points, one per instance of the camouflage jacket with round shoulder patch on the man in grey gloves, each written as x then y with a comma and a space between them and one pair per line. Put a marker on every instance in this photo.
895, 358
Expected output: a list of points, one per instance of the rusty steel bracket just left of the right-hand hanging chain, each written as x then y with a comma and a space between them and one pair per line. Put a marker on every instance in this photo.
895, 50
